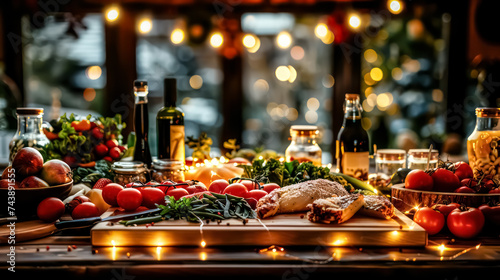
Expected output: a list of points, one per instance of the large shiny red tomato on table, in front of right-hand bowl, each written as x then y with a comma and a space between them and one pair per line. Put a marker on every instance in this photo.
465, 222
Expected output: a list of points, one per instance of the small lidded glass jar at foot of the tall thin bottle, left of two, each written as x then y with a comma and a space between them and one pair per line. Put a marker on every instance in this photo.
129, 172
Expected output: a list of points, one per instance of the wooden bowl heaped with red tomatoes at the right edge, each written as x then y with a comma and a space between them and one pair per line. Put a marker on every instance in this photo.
453, 183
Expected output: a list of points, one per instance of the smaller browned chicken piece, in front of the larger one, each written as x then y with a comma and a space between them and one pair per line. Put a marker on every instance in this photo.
335, 210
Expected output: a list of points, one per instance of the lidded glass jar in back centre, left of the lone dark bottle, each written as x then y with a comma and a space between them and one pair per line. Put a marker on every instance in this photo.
304, 145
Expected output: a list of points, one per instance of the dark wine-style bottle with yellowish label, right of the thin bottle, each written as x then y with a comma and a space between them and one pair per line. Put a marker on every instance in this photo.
170, 125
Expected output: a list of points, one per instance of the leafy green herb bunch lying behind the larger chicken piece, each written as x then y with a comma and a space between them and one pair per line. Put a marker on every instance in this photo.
289, 173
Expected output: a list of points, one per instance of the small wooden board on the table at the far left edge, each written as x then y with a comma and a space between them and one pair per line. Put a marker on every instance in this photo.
23, 231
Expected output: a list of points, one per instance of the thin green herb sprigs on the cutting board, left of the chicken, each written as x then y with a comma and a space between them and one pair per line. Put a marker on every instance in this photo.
198, 208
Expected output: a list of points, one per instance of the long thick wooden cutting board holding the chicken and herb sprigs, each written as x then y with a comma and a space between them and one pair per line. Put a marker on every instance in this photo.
281, 230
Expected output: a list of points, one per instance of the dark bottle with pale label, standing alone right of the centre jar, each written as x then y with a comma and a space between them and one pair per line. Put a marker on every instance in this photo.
353, 145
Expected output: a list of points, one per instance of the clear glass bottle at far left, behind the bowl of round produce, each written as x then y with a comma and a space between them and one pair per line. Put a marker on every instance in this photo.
29, 132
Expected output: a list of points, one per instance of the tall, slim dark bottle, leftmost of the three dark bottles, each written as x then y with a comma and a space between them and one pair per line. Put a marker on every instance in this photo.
141, 123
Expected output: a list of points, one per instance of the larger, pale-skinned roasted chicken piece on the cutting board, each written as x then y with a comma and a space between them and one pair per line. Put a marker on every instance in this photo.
295, 198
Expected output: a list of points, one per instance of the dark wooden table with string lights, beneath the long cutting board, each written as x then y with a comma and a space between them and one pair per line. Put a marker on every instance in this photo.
70, 255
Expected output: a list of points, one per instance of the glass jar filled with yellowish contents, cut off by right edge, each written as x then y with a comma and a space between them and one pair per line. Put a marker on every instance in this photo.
482, 144
